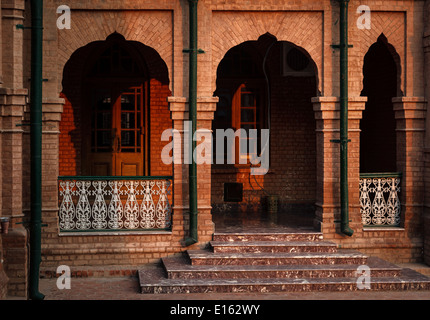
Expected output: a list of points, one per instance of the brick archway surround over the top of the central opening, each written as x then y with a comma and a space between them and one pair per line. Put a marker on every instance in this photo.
304, 29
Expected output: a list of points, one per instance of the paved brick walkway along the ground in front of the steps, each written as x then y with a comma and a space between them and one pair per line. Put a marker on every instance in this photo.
127, 288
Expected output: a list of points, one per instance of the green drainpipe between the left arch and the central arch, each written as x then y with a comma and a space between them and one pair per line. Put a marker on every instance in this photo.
192, 102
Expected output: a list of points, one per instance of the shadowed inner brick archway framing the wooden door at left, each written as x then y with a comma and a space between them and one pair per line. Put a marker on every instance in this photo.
74, 118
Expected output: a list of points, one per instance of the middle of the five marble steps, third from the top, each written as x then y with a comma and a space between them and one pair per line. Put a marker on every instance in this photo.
206, 257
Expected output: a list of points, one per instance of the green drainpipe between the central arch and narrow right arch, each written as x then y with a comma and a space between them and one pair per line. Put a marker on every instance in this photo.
345, 229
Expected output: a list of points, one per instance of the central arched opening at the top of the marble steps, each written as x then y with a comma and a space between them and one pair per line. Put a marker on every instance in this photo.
266, 84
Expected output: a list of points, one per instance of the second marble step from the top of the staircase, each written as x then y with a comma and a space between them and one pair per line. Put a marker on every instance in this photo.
273, 246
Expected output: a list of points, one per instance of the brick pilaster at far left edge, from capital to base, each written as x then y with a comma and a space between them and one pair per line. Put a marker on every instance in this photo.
12, 104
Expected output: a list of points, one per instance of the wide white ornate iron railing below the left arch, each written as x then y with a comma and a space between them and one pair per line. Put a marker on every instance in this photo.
114, 203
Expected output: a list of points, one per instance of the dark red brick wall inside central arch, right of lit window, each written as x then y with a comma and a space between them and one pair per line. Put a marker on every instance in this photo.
293, 145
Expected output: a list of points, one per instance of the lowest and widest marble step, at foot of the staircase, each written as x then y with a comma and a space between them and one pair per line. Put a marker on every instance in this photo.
154, 281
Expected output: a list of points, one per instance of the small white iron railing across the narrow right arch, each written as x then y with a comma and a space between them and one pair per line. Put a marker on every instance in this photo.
379, 199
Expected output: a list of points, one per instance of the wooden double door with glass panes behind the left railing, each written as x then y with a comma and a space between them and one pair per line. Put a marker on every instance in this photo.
118, 132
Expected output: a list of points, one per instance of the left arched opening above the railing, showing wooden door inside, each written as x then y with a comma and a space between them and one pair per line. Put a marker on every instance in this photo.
116, 109
